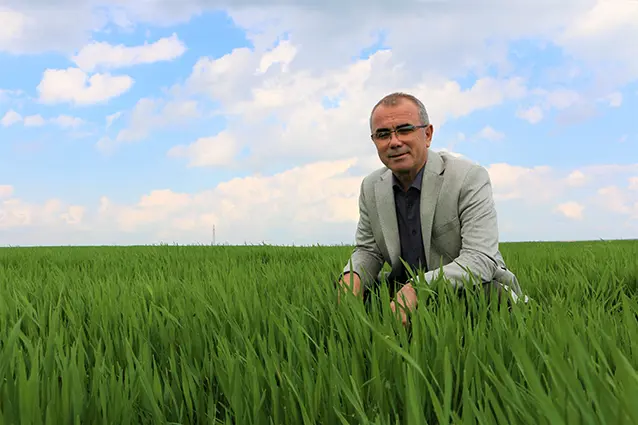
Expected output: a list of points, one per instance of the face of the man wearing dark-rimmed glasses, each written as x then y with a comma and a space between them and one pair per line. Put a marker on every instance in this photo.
406, 152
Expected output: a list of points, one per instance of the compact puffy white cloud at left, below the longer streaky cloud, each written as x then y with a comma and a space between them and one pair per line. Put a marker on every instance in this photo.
75, 86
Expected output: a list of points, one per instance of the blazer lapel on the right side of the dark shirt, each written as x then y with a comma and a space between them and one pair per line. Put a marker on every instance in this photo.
430, 188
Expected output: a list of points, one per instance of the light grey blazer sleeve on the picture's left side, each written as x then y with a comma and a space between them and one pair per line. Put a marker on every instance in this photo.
366, 259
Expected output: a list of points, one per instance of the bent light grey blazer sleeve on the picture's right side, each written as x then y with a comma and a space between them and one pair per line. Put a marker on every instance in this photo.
479, 233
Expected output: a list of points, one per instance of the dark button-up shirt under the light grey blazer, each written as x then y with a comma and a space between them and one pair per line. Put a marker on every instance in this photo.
408, 208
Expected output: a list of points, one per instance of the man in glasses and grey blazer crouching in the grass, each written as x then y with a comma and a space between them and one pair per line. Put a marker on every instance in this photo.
427, 208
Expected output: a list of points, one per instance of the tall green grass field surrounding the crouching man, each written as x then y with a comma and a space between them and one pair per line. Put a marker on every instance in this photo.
253, 335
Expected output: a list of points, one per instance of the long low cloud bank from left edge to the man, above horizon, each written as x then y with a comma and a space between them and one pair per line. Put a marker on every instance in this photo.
255, 208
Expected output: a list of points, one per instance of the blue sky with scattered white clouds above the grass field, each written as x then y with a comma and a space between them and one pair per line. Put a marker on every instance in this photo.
227, 122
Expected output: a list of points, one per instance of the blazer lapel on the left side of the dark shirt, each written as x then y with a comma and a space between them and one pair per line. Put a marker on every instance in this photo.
384, 196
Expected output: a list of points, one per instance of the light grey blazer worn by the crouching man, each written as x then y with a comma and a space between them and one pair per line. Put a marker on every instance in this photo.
458, 223
